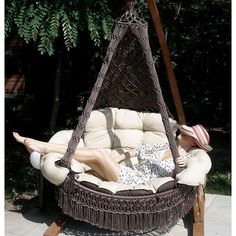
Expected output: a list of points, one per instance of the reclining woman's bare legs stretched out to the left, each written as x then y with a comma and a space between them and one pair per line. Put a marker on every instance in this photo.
98, 159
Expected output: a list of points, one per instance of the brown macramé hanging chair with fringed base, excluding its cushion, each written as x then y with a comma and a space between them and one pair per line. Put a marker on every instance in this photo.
127, 80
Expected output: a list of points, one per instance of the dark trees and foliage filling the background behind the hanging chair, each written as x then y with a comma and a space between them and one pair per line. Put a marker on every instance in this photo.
198, 36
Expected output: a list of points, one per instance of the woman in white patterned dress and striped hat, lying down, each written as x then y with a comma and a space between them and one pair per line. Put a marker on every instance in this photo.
156, 160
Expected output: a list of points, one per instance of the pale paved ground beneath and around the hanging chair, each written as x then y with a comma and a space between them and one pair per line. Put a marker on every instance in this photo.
33, 223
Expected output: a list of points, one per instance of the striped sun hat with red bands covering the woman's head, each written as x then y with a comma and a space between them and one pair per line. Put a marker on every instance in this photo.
199, 133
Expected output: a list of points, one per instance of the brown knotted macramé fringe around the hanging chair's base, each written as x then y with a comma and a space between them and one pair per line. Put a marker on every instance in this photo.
125, 213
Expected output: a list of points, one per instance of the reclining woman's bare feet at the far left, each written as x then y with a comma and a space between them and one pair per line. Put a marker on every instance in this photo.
30, 144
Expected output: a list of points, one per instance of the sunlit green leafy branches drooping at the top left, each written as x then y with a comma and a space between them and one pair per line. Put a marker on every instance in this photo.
44, 22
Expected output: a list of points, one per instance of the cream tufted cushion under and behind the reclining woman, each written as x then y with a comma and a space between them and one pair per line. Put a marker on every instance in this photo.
118, 130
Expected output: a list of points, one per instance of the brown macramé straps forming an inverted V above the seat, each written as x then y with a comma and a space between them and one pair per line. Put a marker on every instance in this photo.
139, 27
